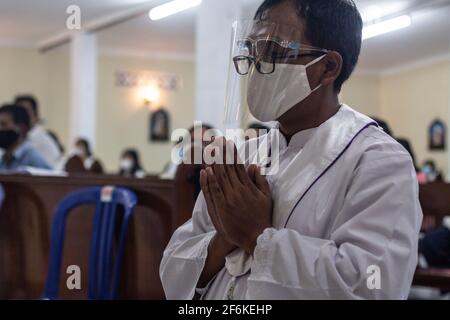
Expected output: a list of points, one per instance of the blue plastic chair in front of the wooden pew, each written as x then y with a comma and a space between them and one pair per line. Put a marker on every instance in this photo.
102, 284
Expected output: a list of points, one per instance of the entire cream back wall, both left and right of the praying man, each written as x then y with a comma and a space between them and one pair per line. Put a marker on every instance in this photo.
408, 100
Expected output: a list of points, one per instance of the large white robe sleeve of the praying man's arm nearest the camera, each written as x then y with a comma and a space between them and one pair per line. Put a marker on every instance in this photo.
375, 230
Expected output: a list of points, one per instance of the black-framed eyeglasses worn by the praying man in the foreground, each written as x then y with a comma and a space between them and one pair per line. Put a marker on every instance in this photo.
265, 65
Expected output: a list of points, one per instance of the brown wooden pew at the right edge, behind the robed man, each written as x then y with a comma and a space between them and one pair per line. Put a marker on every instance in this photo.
435, 202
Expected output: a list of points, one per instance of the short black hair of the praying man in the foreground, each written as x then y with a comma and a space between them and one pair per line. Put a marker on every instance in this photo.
334, 25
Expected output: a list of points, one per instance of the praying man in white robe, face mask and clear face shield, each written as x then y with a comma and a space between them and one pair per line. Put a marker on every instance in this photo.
336, 214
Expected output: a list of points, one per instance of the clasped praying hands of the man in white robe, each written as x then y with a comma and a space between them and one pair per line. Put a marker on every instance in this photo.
238, 199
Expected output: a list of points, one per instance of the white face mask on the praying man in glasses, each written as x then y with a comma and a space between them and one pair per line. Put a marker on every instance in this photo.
269, 96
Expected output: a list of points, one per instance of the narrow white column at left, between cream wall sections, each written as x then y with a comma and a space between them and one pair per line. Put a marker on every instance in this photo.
83, 87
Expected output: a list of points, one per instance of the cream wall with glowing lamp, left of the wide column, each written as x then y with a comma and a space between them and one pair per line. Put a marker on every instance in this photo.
122, 118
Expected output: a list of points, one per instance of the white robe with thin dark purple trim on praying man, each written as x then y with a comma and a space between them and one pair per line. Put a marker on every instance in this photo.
345, 200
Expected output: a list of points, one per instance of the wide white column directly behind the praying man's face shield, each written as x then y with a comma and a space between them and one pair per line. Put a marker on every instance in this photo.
214, 22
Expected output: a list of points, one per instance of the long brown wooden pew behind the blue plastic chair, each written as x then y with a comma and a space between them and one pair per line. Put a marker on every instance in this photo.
25, 224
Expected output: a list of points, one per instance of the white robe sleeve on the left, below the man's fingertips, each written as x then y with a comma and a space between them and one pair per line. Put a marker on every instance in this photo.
185, 256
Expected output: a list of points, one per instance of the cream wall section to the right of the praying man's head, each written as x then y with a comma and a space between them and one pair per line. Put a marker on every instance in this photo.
408, 100
